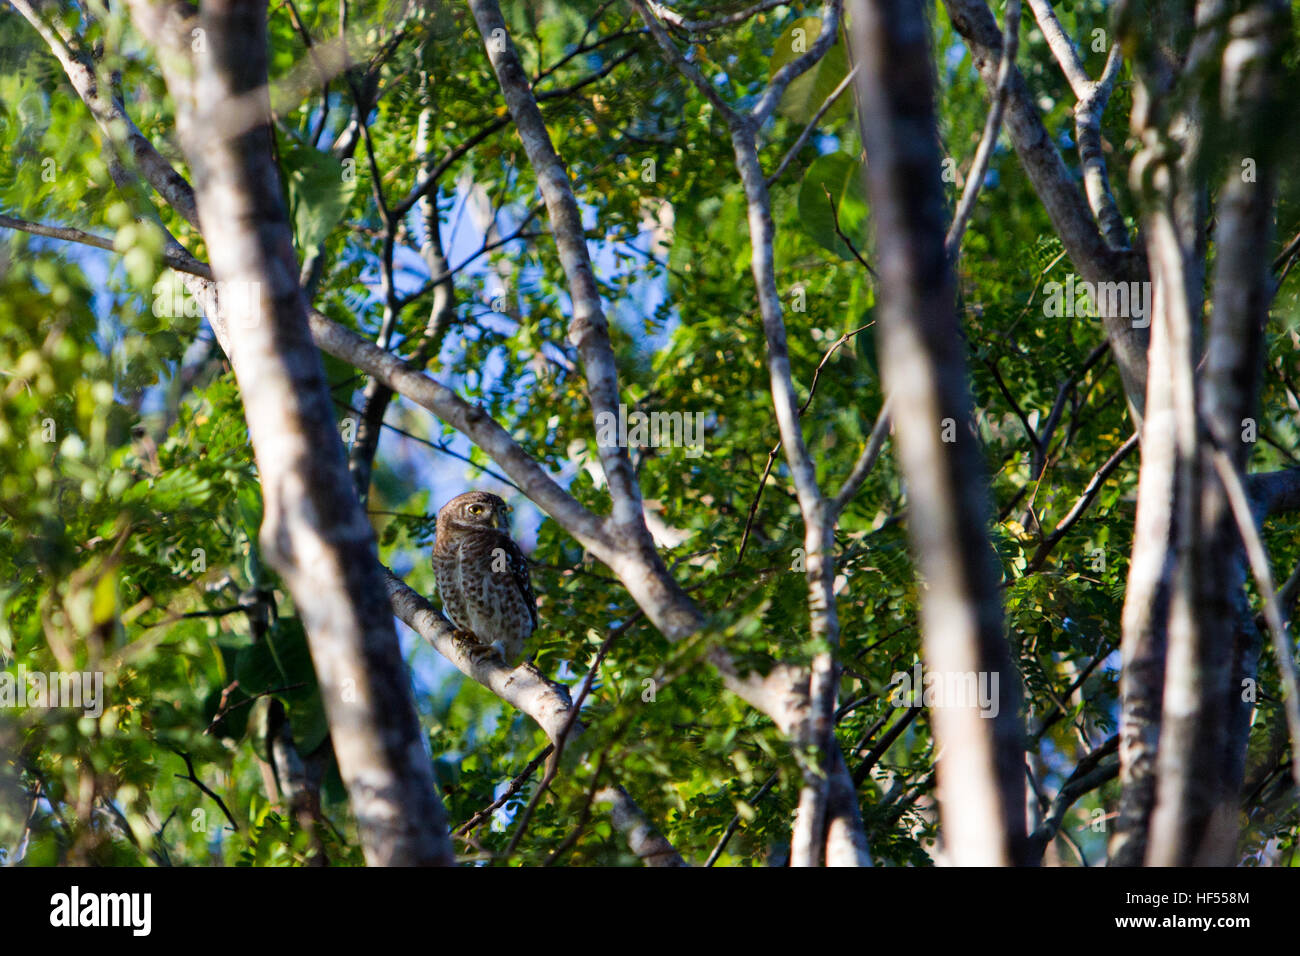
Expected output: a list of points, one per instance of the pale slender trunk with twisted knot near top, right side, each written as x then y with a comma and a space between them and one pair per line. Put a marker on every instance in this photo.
1159, 595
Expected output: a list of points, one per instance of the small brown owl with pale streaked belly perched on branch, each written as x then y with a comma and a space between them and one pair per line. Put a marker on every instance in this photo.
483, 577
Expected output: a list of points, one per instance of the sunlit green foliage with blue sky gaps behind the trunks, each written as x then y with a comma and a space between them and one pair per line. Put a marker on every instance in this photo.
131, 500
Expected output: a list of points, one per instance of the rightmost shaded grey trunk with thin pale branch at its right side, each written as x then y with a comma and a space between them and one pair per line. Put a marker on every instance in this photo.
1195, 821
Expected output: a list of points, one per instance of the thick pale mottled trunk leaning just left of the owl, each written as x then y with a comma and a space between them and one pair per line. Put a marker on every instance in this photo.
315, 533
